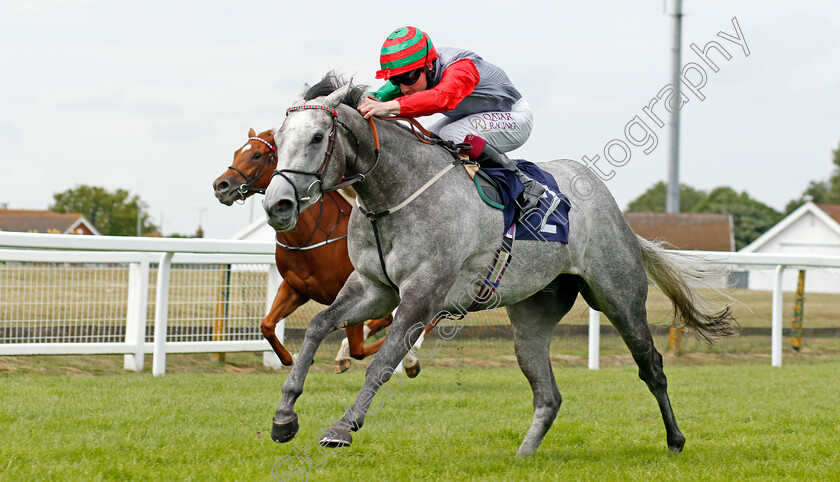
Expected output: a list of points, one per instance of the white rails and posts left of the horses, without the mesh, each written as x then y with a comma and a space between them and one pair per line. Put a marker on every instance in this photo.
139, 254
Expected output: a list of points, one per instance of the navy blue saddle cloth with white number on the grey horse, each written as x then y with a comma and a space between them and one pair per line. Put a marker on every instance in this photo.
550, 222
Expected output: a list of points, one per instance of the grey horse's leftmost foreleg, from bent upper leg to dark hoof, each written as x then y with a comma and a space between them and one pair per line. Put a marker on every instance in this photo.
357, 301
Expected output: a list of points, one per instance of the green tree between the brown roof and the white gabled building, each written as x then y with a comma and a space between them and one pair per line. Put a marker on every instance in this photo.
750, 218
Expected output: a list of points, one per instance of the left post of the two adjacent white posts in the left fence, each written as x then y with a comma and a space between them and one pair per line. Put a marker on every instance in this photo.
138, 301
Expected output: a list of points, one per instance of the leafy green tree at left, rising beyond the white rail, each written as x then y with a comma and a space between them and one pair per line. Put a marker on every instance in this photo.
113, 213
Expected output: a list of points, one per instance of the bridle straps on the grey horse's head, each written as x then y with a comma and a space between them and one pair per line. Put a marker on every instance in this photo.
316, 188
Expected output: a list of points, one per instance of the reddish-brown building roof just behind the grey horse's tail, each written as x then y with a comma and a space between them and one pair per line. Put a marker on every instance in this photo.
698, 231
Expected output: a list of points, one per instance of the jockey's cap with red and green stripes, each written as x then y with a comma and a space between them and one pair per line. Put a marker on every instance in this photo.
406, 49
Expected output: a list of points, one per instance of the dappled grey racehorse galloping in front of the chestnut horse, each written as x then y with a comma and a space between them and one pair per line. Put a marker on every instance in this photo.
424, 240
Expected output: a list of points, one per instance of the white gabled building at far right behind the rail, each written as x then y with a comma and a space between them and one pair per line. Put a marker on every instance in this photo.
811, 229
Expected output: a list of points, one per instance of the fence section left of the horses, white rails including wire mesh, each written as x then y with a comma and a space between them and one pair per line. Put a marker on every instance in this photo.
96, 295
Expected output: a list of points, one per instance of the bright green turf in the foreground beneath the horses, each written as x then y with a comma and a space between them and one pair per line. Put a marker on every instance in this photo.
455, 422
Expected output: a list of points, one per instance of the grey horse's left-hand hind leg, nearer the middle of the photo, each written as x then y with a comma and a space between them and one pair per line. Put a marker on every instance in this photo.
533, 321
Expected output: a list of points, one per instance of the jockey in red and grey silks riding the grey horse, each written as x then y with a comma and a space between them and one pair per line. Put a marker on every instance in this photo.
476, 97
